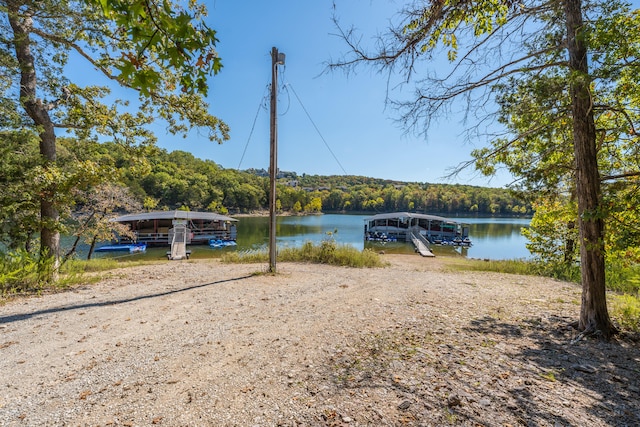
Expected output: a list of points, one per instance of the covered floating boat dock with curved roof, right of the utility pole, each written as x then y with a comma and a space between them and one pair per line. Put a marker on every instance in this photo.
404, 226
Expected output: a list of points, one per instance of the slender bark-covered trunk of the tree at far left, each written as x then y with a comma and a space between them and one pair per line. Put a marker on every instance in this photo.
22, 26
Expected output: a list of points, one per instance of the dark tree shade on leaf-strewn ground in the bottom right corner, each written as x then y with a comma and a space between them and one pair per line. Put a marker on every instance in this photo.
607, 372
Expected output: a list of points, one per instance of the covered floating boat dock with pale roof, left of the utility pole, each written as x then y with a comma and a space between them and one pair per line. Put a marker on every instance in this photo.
157, 228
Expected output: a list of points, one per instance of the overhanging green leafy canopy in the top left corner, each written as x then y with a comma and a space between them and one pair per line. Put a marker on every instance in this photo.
161, 51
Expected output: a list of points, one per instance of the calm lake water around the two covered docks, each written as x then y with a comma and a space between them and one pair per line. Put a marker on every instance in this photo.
493, 238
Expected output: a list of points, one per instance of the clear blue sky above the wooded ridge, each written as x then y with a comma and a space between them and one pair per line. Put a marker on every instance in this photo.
349, 111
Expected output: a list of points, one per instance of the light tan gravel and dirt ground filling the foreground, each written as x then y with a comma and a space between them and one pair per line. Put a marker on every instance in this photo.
200, 343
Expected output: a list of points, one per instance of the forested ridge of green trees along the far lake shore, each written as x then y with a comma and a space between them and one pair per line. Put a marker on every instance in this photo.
177, 179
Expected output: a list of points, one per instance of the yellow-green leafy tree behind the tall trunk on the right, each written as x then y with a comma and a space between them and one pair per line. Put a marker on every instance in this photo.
538, 109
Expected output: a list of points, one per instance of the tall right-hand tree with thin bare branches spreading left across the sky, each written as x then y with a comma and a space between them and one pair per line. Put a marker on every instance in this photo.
511, 40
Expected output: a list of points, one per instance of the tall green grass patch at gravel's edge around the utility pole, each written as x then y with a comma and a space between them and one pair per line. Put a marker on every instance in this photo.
326, 252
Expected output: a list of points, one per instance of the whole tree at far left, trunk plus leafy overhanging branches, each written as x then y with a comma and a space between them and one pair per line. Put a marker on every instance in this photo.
160, 50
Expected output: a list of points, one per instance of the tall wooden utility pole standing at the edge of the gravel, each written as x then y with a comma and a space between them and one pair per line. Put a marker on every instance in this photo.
276, 59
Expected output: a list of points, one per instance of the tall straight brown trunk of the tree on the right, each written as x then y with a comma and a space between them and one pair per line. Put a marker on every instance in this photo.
594, 317
